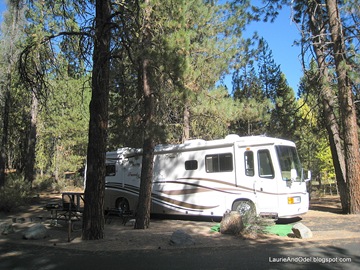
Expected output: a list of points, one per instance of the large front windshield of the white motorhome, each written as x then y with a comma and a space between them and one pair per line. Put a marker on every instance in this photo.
289, 163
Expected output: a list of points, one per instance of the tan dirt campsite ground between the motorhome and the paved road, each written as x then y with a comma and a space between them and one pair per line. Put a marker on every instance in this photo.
324, 219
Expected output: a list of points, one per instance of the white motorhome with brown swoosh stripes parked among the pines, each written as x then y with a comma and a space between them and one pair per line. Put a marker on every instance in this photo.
255, 174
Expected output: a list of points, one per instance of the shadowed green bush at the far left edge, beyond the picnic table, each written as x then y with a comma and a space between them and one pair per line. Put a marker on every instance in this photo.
14, 193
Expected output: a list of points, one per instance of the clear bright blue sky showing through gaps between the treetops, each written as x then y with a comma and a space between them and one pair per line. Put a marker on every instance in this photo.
280, 37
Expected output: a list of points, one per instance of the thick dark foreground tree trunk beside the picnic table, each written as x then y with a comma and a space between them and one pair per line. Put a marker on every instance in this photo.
93, 218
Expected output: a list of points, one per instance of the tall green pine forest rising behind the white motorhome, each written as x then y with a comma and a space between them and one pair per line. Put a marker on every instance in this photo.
187, 47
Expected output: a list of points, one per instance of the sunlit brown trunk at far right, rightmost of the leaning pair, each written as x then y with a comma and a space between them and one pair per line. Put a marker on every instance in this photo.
347, 109
